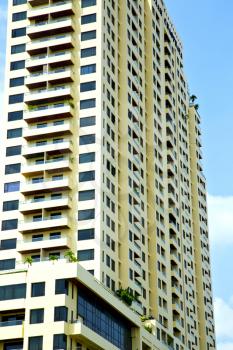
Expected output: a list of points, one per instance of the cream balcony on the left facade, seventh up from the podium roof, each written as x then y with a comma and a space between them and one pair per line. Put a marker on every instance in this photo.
48, 130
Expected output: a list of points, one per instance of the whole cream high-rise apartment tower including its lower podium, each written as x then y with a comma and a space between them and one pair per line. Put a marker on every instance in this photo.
101, 156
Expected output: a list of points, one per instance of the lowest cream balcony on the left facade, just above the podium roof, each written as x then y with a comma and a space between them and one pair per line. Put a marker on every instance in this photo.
46, 244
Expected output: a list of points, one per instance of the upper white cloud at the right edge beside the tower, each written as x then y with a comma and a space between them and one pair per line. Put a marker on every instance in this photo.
220, 211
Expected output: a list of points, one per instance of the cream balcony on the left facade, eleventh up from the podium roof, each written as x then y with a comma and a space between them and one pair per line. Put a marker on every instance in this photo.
58, 59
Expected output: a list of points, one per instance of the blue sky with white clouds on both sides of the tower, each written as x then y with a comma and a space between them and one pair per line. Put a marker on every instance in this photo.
206, 30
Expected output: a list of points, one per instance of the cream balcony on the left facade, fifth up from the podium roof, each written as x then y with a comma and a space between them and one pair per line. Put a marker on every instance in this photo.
57, 164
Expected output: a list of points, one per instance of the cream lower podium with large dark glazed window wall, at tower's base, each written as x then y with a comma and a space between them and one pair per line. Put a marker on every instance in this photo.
60, 306
